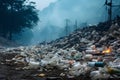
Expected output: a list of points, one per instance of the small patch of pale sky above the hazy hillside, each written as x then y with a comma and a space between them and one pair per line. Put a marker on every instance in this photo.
41, 4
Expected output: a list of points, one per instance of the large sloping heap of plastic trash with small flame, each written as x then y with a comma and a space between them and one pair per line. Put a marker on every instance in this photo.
88, 52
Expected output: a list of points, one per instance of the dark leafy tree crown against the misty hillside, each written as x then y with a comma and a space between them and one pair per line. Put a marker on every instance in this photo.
15, 15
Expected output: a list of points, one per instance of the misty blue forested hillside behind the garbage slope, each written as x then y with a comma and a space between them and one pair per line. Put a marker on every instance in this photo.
53, 19
